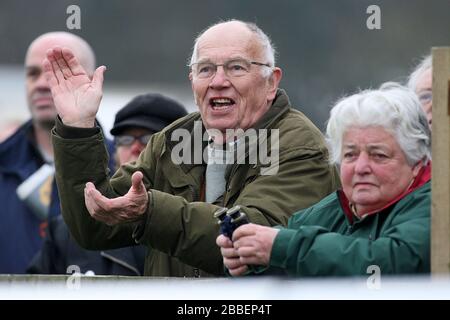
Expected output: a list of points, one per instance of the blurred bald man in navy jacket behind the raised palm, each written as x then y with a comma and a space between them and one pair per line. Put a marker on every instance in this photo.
24, 214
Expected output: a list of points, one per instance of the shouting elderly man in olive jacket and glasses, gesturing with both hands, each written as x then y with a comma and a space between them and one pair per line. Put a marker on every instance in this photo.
168, 205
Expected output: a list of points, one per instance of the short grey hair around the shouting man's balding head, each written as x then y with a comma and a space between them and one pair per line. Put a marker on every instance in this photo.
264, 40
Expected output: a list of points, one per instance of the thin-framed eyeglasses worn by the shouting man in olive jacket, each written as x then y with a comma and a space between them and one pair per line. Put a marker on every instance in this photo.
233, 68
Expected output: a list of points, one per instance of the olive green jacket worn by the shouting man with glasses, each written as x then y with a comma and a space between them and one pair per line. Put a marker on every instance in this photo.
179, 227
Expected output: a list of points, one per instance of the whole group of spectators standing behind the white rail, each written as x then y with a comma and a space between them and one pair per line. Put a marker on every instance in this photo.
354, 197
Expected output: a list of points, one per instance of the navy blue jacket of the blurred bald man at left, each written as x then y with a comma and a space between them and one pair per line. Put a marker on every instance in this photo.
21, 231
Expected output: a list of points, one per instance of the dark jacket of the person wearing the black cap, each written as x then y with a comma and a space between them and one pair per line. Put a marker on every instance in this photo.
60, 251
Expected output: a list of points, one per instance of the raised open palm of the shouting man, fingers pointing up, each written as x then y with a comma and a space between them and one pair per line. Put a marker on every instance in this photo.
76, 96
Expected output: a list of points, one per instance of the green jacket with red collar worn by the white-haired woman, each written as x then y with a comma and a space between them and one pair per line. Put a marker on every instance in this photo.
328, 240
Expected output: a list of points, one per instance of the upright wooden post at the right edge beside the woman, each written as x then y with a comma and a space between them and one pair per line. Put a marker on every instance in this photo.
440, 204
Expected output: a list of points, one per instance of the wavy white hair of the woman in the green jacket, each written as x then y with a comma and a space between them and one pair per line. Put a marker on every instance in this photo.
392, 107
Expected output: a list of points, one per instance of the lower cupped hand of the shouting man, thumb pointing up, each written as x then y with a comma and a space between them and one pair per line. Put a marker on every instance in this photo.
127, 208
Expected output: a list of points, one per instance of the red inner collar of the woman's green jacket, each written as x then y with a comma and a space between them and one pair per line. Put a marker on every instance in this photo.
422, 177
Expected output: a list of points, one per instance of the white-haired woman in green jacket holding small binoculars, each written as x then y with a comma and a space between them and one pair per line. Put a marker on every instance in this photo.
381, 142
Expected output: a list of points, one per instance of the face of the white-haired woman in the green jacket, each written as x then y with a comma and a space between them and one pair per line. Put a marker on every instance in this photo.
374, 170
